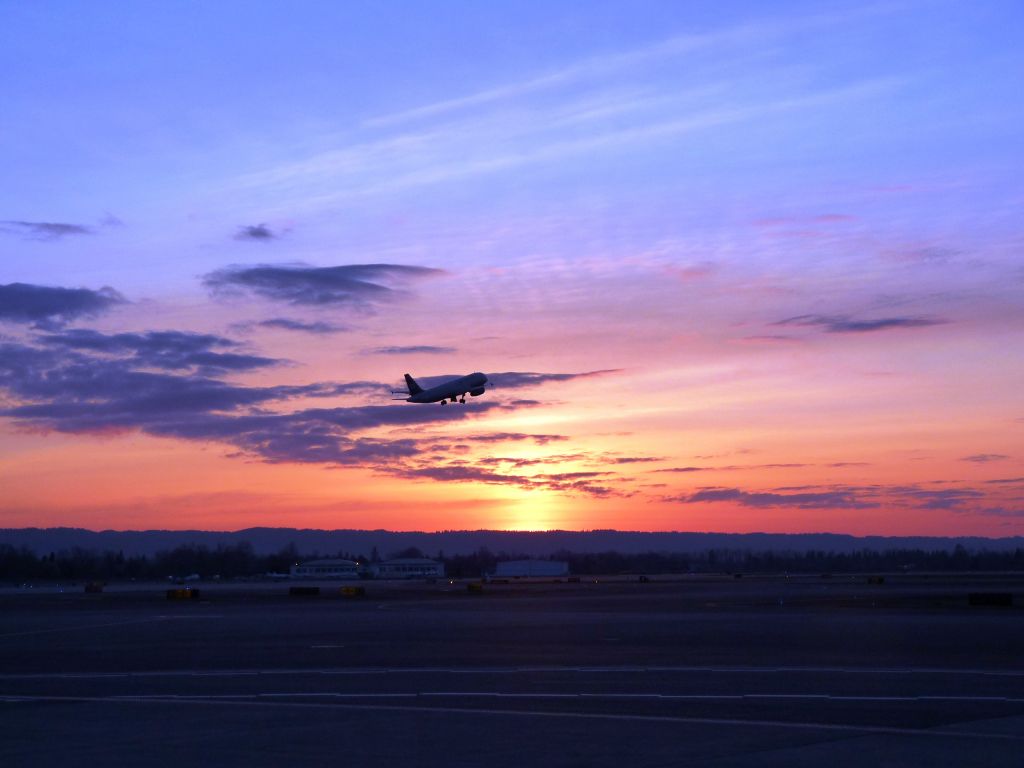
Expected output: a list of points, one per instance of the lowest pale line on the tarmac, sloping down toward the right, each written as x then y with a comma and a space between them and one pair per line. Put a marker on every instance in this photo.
791, 726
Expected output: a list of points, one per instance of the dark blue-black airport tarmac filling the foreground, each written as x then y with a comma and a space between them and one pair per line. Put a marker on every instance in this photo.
706, 671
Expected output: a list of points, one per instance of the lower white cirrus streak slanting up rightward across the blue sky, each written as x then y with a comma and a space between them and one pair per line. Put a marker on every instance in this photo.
476, 147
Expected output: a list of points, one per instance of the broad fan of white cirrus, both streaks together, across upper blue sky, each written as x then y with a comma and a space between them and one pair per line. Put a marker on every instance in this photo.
662, 92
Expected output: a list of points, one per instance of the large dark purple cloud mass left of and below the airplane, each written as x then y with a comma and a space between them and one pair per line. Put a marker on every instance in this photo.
73, 386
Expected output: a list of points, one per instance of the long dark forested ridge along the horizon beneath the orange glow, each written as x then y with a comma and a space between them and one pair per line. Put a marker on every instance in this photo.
538, 544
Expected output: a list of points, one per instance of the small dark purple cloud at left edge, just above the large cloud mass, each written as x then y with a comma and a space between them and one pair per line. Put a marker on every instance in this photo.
48, 307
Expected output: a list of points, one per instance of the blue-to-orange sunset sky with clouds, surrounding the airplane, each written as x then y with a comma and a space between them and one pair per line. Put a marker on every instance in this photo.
730, 267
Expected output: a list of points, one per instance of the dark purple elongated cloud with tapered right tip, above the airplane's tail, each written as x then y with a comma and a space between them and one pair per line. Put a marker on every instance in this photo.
359, 286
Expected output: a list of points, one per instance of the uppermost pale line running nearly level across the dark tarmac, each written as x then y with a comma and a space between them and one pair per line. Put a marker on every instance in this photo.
527, 670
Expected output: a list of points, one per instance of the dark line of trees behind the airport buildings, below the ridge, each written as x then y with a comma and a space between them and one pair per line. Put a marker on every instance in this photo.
241, 562
